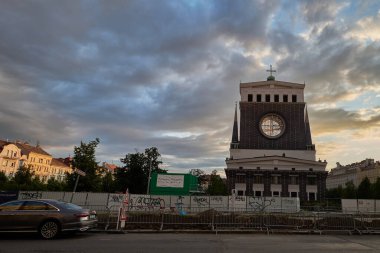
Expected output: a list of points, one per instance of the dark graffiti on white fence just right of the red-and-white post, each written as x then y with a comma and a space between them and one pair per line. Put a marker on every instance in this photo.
146, 203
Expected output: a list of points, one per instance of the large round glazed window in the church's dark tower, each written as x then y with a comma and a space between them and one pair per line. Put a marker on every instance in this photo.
272, 125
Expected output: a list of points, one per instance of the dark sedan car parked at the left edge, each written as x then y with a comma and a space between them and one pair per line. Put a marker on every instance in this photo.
46, 216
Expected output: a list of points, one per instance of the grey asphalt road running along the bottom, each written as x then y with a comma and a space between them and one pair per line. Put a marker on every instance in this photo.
186, 243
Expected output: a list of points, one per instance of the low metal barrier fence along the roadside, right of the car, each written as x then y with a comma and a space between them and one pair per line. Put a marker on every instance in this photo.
211, 220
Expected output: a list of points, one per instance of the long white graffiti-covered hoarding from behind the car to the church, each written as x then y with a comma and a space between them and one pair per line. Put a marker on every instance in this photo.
193, 204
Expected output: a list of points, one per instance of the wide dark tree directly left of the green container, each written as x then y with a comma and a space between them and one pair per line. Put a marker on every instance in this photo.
134, 175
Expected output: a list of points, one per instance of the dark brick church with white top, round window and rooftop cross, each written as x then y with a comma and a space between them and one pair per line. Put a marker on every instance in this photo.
274, 155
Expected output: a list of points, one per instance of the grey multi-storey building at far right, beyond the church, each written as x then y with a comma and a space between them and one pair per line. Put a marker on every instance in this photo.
355, 172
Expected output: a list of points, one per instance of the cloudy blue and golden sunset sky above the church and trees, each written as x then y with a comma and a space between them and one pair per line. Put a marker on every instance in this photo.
166, 74
